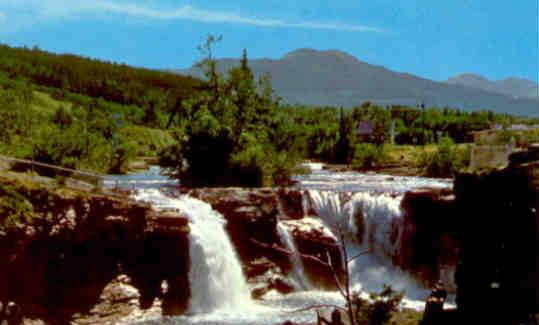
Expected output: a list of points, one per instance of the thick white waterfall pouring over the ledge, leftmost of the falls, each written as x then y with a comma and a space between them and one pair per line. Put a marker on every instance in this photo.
216, 279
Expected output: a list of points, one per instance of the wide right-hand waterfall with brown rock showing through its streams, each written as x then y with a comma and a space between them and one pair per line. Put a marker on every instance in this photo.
369, 222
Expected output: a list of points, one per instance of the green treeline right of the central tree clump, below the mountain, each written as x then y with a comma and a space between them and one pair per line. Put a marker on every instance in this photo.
331, 134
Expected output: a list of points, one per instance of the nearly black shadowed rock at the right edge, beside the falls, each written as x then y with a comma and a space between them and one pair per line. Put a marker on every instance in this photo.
497, 214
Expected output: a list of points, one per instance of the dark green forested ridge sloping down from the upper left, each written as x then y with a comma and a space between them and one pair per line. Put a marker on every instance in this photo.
113, 82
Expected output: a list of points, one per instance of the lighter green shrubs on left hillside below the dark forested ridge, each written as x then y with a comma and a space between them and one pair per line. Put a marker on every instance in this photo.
90, 136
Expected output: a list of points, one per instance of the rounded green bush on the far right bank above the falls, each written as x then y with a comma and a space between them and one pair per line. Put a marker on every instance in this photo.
445, 161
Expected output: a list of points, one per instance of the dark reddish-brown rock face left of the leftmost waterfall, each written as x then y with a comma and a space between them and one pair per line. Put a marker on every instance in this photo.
65, 263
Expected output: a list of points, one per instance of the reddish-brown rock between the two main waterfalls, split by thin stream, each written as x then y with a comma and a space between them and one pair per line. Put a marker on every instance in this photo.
252, 216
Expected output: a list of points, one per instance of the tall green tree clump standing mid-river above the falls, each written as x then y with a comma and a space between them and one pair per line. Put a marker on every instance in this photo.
232, 134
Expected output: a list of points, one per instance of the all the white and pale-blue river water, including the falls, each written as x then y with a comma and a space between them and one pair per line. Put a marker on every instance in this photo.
220, 292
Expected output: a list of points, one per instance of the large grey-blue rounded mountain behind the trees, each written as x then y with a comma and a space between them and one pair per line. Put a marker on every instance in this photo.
335, 78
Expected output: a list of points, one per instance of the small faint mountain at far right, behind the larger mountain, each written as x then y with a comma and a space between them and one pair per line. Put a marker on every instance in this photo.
515, 87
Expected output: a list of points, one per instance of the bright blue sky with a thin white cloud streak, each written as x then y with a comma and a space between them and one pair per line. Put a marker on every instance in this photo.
430, 38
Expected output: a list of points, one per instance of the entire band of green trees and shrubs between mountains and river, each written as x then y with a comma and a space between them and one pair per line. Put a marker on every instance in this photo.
229, 129
